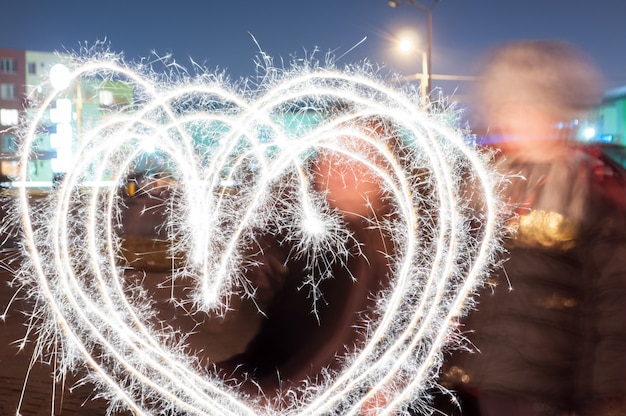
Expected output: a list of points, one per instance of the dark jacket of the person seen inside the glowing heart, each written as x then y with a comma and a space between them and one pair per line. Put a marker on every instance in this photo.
301, 338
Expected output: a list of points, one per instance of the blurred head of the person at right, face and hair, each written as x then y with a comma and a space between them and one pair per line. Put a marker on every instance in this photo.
527, 88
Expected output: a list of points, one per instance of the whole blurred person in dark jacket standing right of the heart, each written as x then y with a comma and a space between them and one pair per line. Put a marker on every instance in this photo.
547, 330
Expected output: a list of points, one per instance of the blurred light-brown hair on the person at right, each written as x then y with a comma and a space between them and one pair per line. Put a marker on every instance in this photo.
551, 76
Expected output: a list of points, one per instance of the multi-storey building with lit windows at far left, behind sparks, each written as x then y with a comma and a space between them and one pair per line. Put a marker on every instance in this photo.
24, 82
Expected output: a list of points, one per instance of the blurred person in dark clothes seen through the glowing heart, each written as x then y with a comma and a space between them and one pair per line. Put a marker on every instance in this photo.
301, 341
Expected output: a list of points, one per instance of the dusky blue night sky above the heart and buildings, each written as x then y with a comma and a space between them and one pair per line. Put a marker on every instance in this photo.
221, 35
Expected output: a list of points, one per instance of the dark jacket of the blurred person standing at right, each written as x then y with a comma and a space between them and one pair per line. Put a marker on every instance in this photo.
547, 324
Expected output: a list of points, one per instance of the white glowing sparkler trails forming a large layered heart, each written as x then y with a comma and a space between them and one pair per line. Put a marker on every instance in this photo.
212, 136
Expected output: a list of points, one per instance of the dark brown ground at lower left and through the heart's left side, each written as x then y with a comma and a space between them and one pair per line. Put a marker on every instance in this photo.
29, 386
